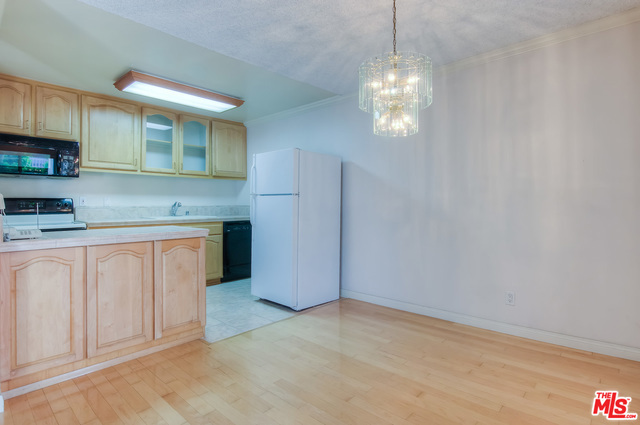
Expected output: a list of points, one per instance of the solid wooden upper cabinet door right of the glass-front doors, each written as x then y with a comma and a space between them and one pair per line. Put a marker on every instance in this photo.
229, 150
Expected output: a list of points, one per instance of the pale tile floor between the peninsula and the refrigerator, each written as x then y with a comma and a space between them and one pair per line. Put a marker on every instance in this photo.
232, 310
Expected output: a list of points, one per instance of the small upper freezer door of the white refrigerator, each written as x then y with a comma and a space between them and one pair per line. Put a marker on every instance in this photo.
276, 173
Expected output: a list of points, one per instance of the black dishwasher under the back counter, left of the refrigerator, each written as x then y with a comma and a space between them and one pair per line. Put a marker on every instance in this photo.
236, 250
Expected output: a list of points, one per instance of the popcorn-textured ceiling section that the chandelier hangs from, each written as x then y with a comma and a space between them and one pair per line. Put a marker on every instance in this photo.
322, 42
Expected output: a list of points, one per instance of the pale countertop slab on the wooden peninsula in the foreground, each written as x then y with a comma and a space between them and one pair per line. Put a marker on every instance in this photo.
75, 238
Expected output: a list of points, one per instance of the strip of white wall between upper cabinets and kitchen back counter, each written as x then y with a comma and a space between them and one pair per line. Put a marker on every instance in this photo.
111, 189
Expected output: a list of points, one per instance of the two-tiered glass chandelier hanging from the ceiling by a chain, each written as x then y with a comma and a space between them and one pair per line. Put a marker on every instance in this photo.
394, 86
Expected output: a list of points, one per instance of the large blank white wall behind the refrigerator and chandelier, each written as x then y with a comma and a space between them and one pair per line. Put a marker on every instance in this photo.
525, 176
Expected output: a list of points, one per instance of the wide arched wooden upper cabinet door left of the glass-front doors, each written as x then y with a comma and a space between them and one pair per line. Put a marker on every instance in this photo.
110, 134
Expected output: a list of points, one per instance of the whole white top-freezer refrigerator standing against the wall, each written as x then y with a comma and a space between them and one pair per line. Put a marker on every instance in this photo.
295, 218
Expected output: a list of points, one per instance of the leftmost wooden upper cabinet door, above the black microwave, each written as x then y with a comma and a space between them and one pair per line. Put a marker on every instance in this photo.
15, 107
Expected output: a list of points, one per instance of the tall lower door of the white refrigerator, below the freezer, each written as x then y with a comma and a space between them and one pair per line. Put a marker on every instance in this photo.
274, 249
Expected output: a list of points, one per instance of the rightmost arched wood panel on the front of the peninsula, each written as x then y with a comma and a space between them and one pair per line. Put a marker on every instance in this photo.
179, 277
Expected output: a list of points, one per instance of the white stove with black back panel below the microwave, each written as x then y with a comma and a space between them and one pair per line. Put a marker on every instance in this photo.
45, 214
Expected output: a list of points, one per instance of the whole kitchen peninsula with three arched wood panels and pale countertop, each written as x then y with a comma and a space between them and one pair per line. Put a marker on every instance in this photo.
78, 301
